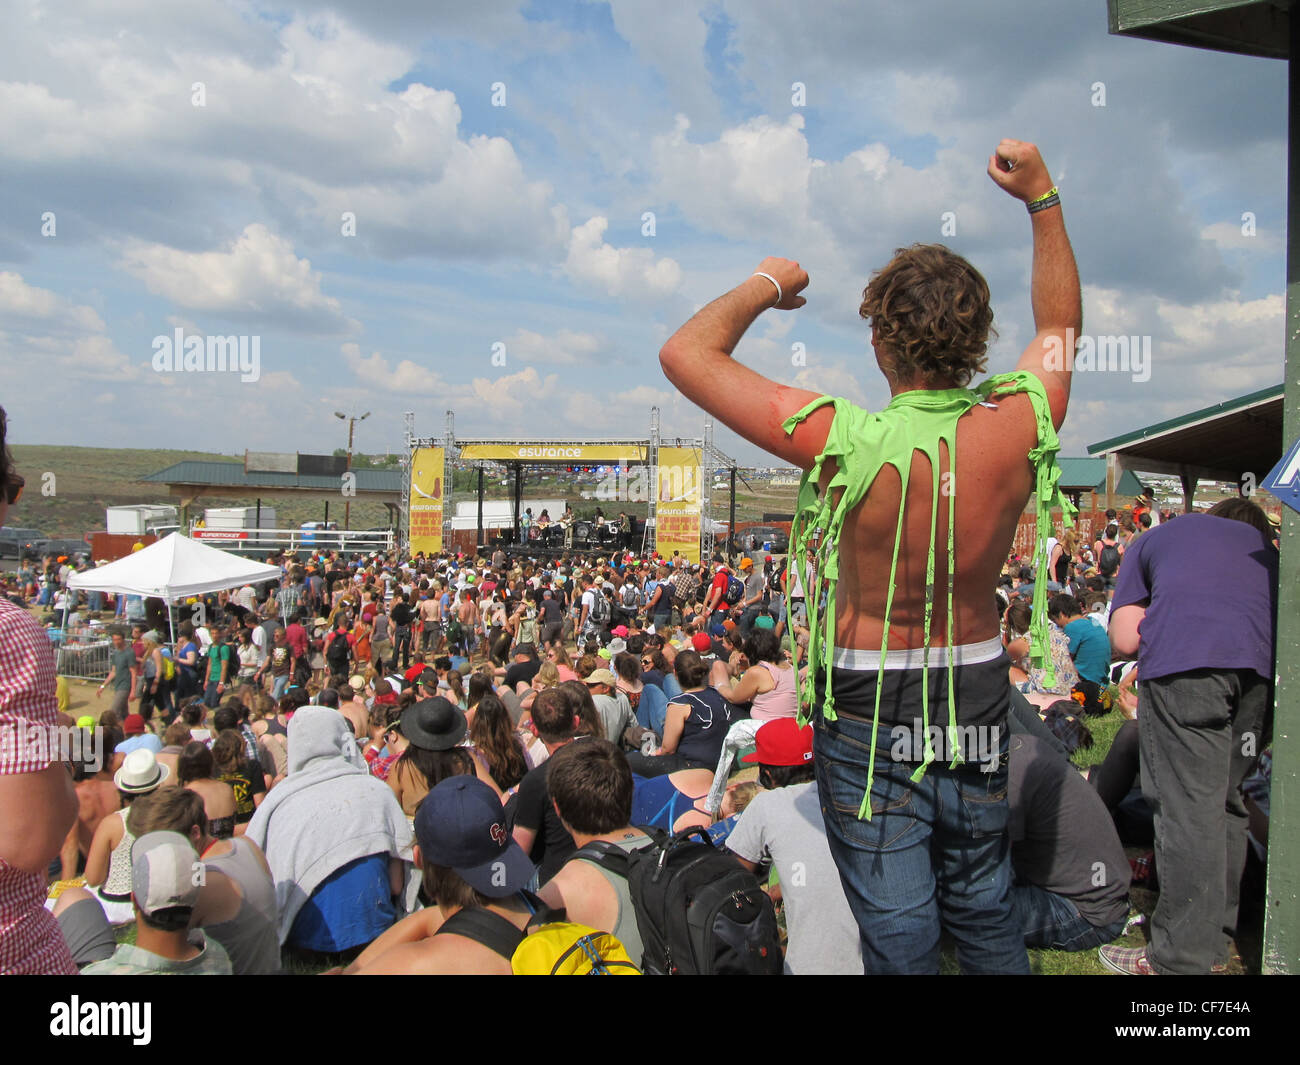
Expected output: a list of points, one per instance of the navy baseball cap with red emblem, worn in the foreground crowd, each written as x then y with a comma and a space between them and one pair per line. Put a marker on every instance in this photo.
461, 825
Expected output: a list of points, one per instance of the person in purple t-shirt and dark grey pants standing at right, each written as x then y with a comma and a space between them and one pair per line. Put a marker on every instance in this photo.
1198, 601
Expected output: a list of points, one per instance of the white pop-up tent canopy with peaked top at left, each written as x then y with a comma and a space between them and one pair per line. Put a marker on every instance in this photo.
174, 569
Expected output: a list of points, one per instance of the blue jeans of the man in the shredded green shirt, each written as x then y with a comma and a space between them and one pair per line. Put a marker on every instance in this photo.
934, 855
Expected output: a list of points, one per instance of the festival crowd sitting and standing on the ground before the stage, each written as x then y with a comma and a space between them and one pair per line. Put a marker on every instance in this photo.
369, 752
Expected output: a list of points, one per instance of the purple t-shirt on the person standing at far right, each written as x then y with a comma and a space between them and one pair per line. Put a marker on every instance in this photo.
1214, 590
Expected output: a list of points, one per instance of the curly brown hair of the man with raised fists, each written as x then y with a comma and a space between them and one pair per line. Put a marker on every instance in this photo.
933, 317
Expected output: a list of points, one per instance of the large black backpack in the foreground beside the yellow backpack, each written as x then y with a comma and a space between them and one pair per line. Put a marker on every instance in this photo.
699, 911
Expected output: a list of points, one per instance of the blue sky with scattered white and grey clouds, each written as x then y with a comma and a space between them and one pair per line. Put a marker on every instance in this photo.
479, 226
